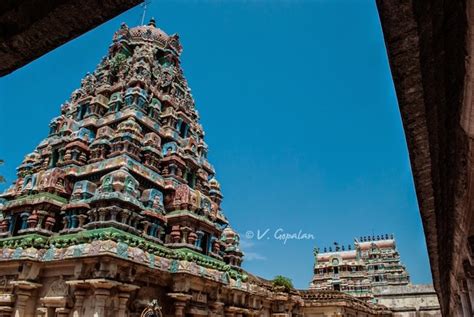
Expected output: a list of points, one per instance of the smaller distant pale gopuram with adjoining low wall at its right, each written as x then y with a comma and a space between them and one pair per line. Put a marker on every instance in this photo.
371, 270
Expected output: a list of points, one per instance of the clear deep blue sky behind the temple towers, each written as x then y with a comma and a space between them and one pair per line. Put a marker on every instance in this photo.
300, 115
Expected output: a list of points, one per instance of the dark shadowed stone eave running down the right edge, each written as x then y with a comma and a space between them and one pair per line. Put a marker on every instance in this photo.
426, 45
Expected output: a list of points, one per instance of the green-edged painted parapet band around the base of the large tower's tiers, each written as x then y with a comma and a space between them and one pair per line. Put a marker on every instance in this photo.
117, 243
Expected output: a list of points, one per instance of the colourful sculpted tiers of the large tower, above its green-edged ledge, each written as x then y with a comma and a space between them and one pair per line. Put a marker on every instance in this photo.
126, 152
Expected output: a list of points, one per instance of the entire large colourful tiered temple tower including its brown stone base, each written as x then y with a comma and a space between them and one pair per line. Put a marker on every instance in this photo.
118, 206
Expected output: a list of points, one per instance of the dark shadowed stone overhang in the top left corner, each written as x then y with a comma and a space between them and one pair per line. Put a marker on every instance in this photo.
32, 28
